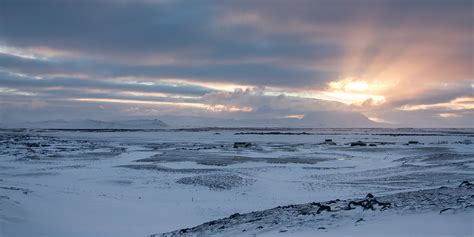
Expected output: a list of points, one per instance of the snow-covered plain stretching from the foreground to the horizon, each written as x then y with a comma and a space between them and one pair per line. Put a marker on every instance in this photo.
139, 183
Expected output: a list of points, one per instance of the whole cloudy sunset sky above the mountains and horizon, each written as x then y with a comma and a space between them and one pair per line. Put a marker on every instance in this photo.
399, 63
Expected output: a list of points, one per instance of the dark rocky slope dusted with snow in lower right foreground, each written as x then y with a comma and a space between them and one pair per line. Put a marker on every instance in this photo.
319, 215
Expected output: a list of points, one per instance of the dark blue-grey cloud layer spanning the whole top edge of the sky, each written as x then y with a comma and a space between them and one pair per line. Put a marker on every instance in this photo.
189, 29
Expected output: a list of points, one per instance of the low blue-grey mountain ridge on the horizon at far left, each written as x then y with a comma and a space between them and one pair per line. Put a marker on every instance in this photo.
91, 124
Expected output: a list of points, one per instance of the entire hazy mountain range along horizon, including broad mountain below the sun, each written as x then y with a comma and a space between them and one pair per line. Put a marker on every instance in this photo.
320, 119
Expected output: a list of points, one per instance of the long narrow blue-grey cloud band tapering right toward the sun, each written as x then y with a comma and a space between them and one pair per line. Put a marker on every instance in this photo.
241, 73
